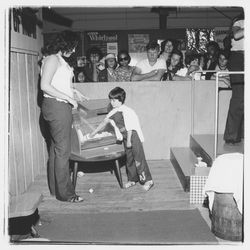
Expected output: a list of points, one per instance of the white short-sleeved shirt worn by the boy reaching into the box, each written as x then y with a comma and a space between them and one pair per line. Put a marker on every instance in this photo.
131, 120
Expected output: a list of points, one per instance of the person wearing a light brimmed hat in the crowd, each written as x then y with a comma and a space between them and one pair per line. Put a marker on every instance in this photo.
108, 74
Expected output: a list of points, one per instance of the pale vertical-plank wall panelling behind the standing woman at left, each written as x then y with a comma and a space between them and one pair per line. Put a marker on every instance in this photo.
28, 153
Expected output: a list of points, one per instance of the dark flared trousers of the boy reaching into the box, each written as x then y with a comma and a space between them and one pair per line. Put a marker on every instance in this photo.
136, 162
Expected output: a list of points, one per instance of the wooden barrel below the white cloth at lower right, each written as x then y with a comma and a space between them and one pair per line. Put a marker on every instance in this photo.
226, 218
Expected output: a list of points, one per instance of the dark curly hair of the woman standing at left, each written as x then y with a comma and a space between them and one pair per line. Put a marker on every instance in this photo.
65, 41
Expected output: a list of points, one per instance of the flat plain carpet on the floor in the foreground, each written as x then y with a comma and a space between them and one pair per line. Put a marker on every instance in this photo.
147, 227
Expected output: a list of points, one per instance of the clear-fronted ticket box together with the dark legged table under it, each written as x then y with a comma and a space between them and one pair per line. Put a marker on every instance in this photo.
100, 148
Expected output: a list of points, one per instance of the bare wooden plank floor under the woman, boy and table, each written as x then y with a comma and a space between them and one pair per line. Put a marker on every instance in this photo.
167, 193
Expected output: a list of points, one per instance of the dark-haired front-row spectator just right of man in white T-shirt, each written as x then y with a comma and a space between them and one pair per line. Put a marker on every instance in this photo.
175, 68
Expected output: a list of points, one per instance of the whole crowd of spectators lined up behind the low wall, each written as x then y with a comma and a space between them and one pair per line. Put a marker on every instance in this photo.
164, 62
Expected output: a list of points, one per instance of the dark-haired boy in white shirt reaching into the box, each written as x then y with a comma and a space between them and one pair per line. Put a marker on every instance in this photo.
129, 130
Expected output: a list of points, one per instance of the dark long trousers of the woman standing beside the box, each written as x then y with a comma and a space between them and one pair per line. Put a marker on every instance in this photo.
59, 117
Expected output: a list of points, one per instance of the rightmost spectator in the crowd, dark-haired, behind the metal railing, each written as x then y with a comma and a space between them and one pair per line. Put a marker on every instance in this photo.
222, 66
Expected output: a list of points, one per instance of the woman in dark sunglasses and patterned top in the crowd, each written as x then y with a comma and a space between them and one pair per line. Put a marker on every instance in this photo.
124, 71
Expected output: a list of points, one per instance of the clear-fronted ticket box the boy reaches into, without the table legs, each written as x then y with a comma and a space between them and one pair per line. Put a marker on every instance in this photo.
85, 120
